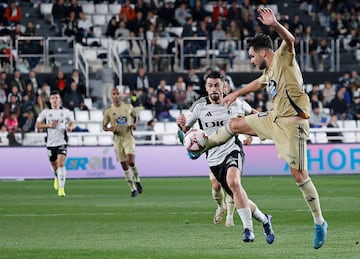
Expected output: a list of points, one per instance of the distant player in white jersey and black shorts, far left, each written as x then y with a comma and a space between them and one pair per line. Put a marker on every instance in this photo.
56, 122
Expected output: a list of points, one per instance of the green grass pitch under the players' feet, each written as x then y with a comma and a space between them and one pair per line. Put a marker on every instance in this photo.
171, 219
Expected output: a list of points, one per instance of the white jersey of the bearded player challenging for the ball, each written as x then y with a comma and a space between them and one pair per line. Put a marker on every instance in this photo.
212, 117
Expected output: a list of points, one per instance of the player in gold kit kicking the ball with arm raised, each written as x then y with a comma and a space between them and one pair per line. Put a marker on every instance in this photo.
287, 124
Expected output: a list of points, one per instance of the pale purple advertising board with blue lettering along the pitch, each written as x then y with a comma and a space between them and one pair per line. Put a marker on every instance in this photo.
171, 161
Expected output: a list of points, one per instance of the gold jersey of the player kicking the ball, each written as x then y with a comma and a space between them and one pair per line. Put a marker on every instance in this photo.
284, 84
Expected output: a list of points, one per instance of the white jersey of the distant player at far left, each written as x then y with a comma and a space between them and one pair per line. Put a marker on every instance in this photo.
57, 136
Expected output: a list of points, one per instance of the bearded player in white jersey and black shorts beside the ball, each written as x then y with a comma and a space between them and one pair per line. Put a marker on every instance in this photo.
226, 161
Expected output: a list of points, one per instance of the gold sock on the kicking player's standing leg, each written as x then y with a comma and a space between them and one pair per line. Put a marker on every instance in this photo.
311, 197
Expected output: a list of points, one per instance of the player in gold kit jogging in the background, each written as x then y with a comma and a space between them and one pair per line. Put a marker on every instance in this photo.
120, 118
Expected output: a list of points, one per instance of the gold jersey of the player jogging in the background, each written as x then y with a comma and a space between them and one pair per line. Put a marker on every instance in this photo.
121, 116
